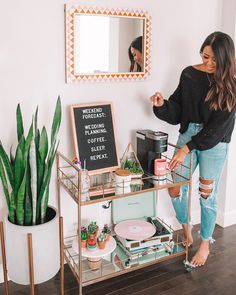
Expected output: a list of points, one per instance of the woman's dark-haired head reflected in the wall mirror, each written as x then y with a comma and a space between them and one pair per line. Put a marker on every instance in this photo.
135, 55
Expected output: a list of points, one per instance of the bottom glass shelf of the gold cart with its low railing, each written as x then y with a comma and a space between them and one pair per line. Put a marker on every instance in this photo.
119, 262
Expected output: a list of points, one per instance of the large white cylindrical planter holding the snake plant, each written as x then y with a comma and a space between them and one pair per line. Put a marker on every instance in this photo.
46, 250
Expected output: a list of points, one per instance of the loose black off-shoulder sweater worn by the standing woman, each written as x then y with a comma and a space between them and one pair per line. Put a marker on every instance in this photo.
187, 105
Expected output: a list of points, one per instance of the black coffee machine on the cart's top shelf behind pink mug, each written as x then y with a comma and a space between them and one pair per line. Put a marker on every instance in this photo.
150, 145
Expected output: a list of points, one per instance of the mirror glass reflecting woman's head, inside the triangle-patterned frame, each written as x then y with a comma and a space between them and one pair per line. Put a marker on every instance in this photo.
108, 44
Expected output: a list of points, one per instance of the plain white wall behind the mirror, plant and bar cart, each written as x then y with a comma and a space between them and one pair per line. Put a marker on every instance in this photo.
32, 70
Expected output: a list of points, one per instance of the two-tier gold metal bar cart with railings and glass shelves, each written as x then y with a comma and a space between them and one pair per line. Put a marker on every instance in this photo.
145, 187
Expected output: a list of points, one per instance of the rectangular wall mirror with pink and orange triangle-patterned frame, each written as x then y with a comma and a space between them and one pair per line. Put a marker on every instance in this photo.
98, 40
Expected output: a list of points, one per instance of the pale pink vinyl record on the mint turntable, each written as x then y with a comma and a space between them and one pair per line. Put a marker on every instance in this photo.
135, 230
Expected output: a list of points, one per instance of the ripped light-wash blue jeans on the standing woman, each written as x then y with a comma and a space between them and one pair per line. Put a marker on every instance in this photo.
211, 163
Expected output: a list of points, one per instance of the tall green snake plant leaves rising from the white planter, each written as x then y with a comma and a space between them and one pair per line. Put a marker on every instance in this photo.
26, 174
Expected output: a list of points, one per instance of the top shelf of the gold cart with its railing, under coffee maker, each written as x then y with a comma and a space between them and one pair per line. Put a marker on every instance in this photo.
104, 188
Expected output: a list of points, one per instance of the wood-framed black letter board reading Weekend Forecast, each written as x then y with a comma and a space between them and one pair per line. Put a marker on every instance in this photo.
94, 136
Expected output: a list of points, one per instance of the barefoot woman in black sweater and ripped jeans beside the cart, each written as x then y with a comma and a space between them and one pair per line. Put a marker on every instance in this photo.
204, 106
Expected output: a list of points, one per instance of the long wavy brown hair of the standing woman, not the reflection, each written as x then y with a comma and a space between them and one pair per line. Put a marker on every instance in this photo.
222, 94
